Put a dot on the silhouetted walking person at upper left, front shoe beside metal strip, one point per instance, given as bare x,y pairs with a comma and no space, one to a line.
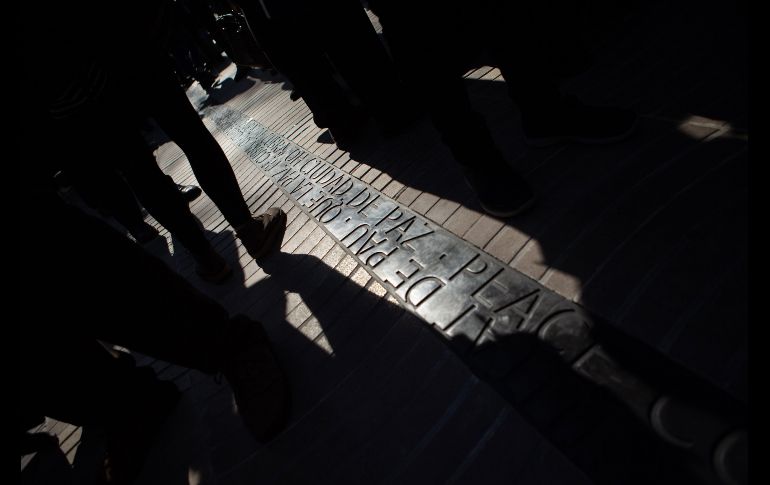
110,76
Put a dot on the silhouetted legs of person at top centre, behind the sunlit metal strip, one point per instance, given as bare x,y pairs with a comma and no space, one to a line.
314,45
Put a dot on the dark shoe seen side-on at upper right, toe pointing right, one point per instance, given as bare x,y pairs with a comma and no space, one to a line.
569,120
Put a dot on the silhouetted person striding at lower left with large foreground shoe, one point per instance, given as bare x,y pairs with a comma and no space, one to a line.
96,284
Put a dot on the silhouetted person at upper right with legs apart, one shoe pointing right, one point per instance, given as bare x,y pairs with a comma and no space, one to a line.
535,46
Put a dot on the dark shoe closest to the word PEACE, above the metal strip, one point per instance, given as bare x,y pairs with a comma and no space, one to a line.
502,195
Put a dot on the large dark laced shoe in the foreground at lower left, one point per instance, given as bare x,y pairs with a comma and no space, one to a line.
259,386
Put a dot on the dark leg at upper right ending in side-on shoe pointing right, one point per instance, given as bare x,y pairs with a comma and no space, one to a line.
536,47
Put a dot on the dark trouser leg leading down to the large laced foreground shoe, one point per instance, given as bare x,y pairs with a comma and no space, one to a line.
111,289
